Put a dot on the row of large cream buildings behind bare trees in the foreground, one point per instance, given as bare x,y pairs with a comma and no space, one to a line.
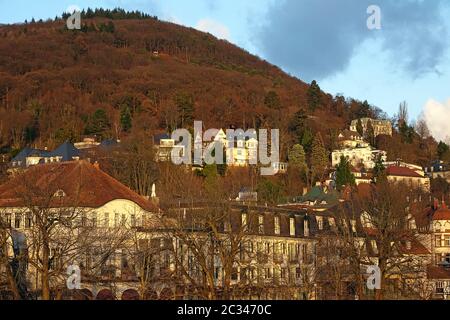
128,243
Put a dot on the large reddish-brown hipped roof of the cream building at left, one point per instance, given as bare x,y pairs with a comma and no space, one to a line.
83,185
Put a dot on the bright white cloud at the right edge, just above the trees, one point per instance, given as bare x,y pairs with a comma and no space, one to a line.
437,116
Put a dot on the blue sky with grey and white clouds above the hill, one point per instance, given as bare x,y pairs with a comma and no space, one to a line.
406,59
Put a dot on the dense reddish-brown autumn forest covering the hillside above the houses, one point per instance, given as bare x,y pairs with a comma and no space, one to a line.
128,73
